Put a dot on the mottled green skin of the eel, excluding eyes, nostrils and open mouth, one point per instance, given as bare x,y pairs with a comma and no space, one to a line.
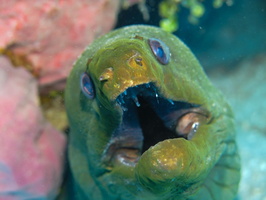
204,168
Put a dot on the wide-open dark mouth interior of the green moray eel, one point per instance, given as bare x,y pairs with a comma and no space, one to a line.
149,118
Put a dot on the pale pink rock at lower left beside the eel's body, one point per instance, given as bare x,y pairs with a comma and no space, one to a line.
31,150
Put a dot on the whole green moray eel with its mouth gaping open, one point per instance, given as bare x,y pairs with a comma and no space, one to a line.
146,123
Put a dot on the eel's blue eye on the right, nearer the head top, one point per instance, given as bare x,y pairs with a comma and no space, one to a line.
160,50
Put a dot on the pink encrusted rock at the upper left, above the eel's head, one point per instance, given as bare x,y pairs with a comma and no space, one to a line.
47,36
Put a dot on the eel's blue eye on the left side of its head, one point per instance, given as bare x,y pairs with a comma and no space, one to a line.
86,86
